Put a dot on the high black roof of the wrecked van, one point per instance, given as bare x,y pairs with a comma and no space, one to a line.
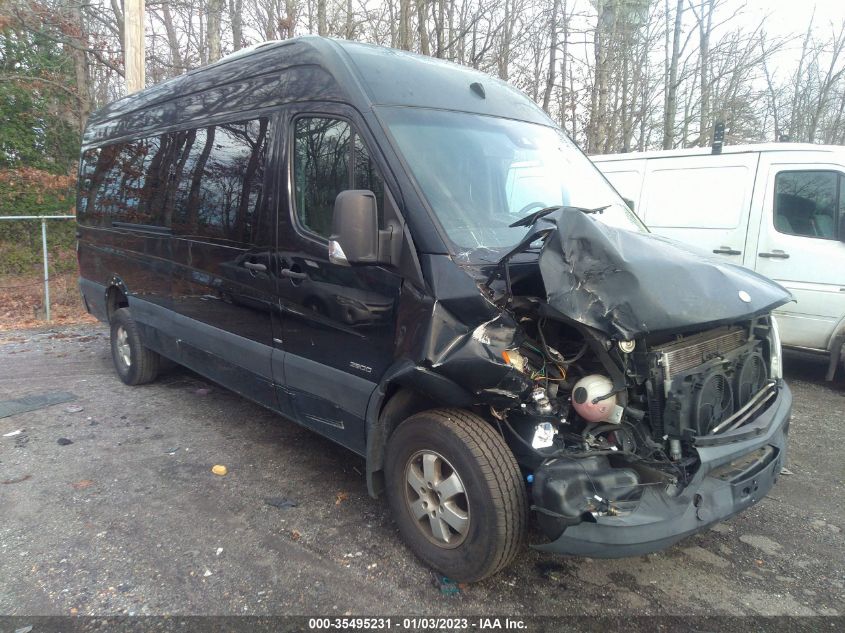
310,68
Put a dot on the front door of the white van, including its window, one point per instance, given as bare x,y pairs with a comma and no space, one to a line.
799,245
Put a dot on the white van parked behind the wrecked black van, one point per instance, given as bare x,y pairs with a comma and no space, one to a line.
778,209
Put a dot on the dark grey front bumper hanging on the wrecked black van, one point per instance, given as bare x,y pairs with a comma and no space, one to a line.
737,470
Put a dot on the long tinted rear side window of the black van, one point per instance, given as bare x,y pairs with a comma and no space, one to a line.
206,181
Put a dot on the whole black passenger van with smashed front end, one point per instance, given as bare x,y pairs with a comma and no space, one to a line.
410,258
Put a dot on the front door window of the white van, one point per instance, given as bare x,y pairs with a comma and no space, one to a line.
807,203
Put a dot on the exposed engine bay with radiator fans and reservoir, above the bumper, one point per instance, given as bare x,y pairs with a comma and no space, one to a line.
607,418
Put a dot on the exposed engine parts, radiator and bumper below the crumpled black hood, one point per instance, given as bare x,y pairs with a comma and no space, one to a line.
696,434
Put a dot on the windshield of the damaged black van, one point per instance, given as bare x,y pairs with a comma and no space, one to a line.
480,174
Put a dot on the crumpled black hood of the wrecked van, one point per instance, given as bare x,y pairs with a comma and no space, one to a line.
627,284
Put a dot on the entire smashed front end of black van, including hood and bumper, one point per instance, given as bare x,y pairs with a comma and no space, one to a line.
637,382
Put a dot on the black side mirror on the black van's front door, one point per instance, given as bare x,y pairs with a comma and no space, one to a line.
356,238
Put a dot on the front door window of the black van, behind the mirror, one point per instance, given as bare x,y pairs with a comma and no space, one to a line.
329,157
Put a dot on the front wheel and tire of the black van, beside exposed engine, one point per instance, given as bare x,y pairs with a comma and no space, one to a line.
494,500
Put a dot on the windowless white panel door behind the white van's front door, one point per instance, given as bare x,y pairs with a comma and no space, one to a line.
701,200
